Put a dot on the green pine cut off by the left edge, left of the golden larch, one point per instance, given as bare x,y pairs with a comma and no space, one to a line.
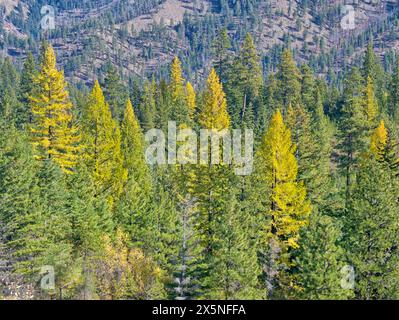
20,203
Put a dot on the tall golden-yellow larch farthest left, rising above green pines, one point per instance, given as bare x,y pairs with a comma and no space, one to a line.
54,135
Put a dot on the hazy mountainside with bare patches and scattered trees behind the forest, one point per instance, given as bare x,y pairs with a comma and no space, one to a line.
142,36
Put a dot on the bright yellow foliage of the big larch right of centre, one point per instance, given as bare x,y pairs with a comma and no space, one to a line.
278,168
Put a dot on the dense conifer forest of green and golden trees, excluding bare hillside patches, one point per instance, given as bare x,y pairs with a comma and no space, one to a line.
84,215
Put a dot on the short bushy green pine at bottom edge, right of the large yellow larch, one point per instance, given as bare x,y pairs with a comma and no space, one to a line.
319,261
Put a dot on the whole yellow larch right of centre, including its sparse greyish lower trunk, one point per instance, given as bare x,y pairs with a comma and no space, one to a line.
285,206
